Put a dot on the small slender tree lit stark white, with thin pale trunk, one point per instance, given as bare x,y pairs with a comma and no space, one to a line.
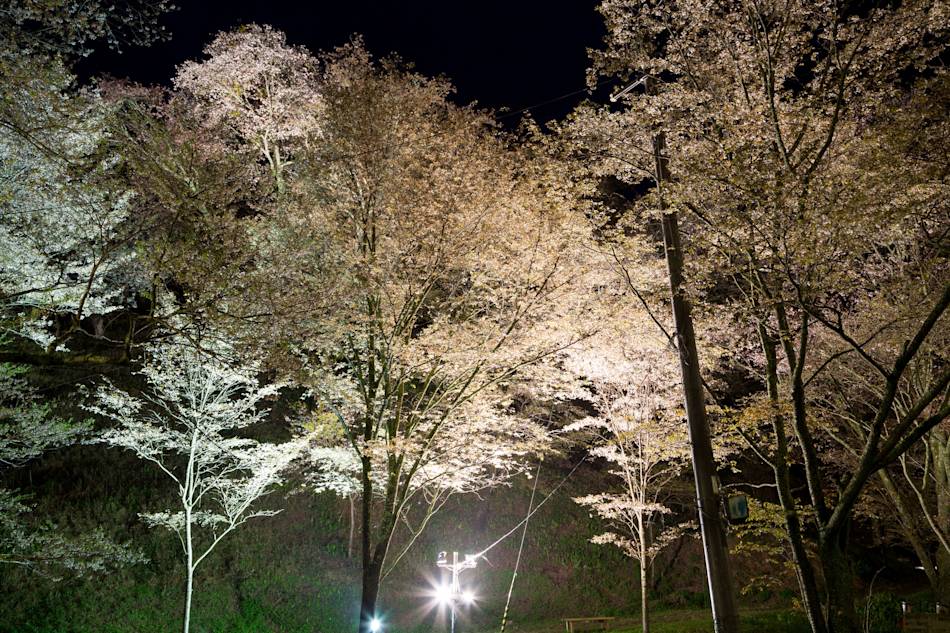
184,424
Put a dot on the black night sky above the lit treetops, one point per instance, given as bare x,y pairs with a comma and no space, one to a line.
513,53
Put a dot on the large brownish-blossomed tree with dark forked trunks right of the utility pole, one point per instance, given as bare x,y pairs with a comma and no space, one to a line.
789,129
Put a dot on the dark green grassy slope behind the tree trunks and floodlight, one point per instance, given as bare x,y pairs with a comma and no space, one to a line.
290,573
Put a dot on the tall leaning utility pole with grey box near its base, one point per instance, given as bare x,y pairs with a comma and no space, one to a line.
722,594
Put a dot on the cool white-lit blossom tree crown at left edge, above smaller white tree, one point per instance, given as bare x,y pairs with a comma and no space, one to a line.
66,238
